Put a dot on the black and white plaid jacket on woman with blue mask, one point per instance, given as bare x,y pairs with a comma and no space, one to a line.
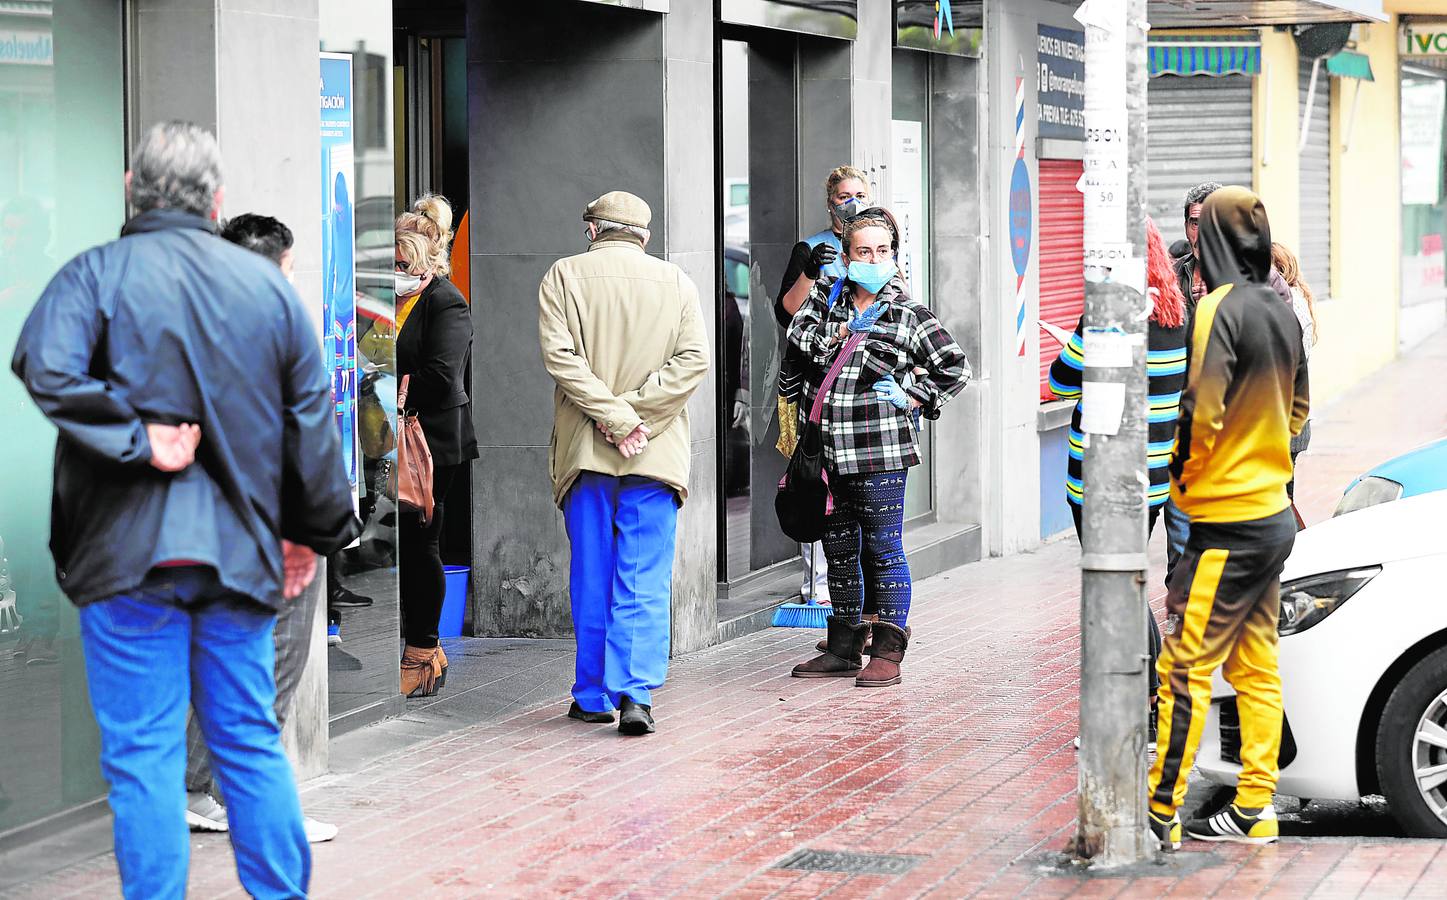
863,433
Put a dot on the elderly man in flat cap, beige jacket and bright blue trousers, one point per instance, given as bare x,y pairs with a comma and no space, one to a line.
624,339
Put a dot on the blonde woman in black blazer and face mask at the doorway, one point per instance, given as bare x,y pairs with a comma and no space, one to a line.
433,348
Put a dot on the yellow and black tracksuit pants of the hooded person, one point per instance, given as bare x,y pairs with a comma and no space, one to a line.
1222,610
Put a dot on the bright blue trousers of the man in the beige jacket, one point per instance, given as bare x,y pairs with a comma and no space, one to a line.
621,584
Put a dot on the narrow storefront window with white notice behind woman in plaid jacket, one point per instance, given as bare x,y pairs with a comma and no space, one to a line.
909,202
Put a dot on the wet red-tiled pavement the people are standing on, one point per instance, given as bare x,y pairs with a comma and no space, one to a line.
969,765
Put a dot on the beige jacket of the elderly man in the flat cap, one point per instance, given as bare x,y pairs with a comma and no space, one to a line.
624,339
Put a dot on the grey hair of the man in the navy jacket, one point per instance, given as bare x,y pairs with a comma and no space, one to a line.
177,166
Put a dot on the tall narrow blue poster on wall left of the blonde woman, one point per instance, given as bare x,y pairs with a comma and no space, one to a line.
339,332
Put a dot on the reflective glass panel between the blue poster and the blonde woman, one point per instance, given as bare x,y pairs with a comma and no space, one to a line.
362,600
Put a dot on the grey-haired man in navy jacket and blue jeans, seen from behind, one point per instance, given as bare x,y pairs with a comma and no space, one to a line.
198,474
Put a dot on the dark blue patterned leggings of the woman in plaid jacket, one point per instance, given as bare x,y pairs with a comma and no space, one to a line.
865,540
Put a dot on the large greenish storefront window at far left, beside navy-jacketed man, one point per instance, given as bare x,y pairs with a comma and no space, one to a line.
61,192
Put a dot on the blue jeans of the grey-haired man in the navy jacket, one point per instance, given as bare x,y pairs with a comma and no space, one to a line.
150,655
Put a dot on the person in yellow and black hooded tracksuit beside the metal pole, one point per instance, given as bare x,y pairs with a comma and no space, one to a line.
1245,399
